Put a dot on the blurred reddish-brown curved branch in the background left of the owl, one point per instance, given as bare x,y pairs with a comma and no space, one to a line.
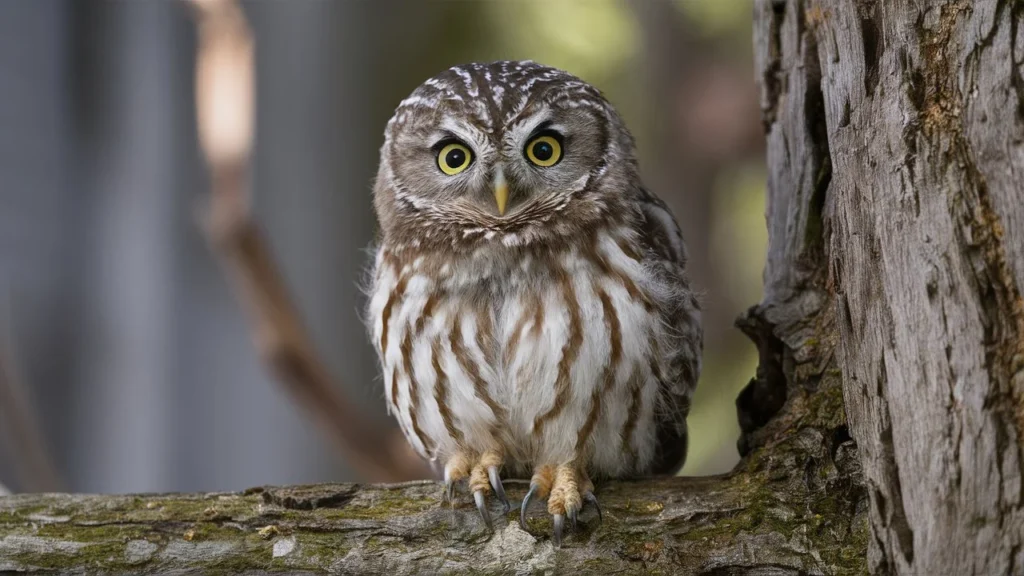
225,88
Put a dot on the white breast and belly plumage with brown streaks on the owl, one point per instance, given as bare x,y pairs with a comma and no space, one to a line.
547,361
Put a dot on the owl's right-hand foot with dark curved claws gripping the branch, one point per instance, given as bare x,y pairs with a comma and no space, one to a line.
568,489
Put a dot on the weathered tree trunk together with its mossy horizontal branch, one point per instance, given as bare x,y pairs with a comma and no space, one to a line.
897,222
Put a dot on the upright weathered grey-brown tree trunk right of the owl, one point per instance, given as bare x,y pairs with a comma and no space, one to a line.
906,124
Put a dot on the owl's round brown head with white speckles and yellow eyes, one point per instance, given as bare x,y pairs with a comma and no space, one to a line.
510,153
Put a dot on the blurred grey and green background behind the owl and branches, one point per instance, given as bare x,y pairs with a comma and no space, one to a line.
125,346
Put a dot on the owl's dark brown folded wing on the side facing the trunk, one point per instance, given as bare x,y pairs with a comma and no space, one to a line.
679,378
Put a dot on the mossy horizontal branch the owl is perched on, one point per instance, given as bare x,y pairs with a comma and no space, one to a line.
795,509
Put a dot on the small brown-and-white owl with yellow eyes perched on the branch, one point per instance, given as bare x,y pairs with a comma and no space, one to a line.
530,301
